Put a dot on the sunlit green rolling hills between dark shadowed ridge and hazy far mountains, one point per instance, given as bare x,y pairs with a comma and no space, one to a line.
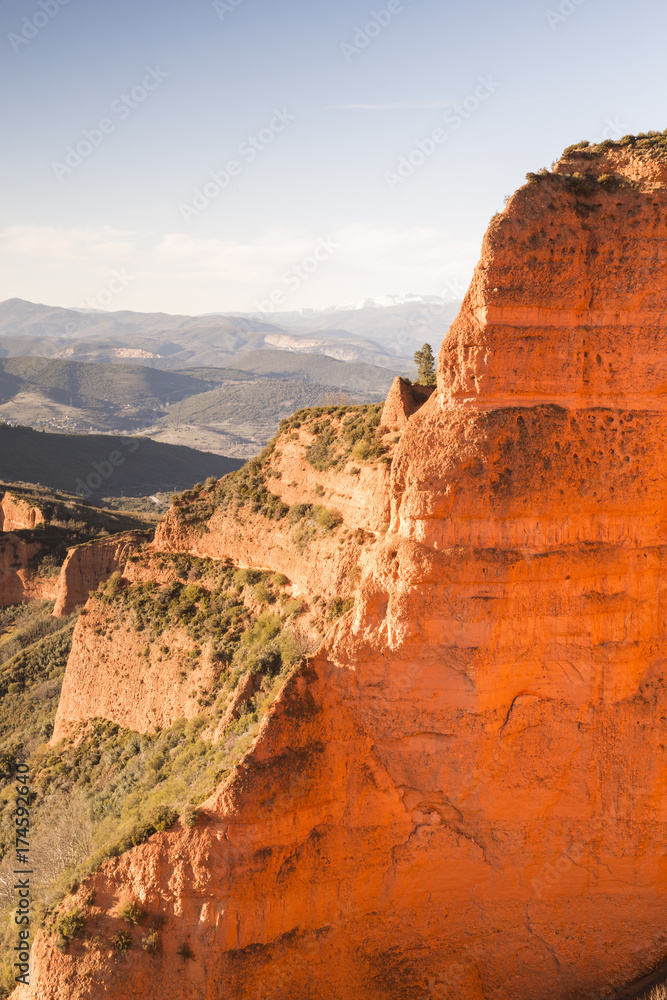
222,410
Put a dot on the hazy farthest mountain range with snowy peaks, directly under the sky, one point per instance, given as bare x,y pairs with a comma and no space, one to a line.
381,335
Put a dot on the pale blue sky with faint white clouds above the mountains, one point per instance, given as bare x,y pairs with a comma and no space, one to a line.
191,156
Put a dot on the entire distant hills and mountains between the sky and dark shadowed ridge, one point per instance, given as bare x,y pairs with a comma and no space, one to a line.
217,383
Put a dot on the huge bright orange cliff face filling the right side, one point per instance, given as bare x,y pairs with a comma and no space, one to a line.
464,794
